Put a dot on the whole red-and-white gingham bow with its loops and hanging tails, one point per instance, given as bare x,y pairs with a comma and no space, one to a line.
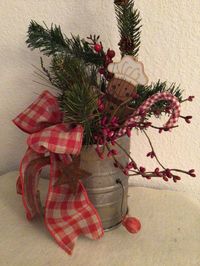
66,215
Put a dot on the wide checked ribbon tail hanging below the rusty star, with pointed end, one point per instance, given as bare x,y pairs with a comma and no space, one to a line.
67,215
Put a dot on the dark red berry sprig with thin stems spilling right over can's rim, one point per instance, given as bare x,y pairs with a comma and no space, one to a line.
109,134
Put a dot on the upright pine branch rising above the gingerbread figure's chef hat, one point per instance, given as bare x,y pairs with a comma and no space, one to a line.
129,27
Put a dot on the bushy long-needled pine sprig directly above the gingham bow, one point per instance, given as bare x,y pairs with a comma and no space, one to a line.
78,92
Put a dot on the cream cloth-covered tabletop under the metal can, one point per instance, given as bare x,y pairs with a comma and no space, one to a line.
170,234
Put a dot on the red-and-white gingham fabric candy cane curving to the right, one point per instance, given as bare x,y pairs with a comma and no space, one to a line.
145,107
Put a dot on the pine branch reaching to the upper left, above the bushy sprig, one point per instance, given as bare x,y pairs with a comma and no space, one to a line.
53,42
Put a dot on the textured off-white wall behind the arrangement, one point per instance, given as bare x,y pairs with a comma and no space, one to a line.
170,51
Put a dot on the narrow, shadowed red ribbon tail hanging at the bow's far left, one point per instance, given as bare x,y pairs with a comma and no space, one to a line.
30,168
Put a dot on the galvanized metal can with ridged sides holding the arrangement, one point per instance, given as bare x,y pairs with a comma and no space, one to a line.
108,197
